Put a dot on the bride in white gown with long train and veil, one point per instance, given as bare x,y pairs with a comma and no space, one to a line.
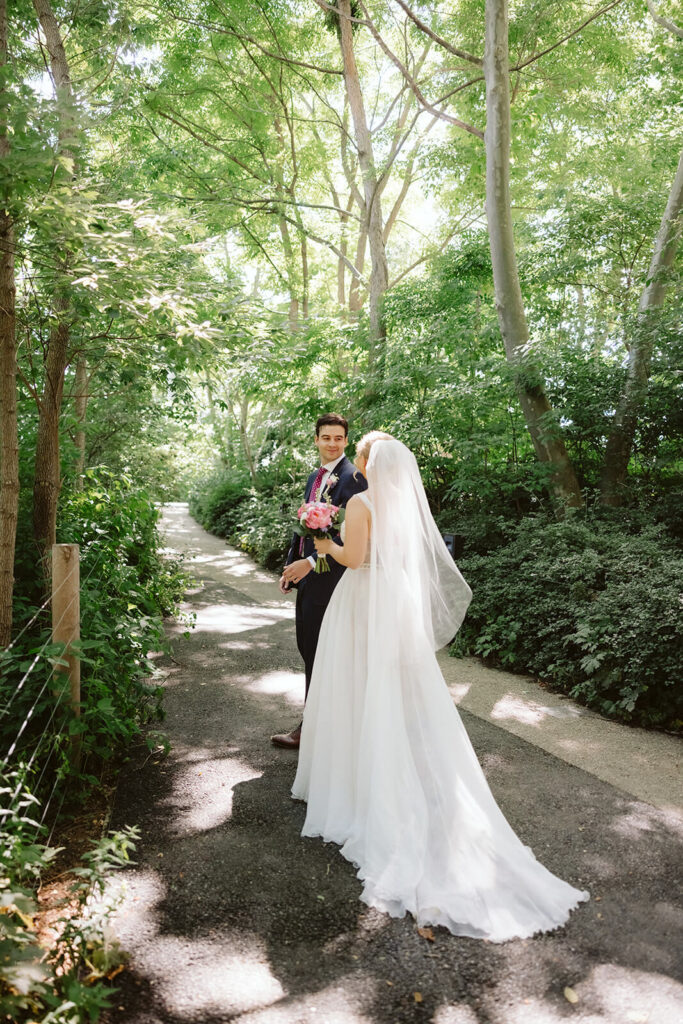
386,764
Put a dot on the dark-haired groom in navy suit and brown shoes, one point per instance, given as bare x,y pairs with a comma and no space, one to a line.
337,480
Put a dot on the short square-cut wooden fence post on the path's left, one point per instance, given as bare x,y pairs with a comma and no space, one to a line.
67,622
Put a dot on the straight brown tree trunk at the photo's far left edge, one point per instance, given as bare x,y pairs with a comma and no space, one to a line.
10,479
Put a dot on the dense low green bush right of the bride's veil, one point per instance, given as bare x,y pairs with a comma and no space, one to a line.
588,606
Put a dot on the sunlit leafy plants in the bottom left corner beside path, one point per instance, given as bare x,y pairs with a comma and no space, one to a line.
67,985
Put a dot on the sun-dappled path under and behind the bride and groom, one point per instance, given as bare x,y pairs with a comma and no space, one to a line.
231,916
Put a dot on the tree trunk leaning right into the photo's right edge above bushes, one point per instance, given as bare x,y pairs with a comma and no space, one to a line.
620,443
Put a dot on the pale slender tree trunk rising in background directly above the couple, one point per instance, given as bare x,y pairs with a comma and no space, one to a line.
379,279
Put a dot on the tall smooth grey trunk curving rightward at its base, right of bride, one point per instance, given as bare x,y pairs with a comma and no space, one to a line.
509,304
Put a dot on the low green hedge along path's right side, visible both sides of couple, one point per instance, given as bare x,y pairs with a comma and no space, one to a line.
591,605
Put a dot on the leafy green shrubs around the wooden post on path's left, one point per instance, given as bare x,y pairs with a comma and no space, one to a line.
126,587
